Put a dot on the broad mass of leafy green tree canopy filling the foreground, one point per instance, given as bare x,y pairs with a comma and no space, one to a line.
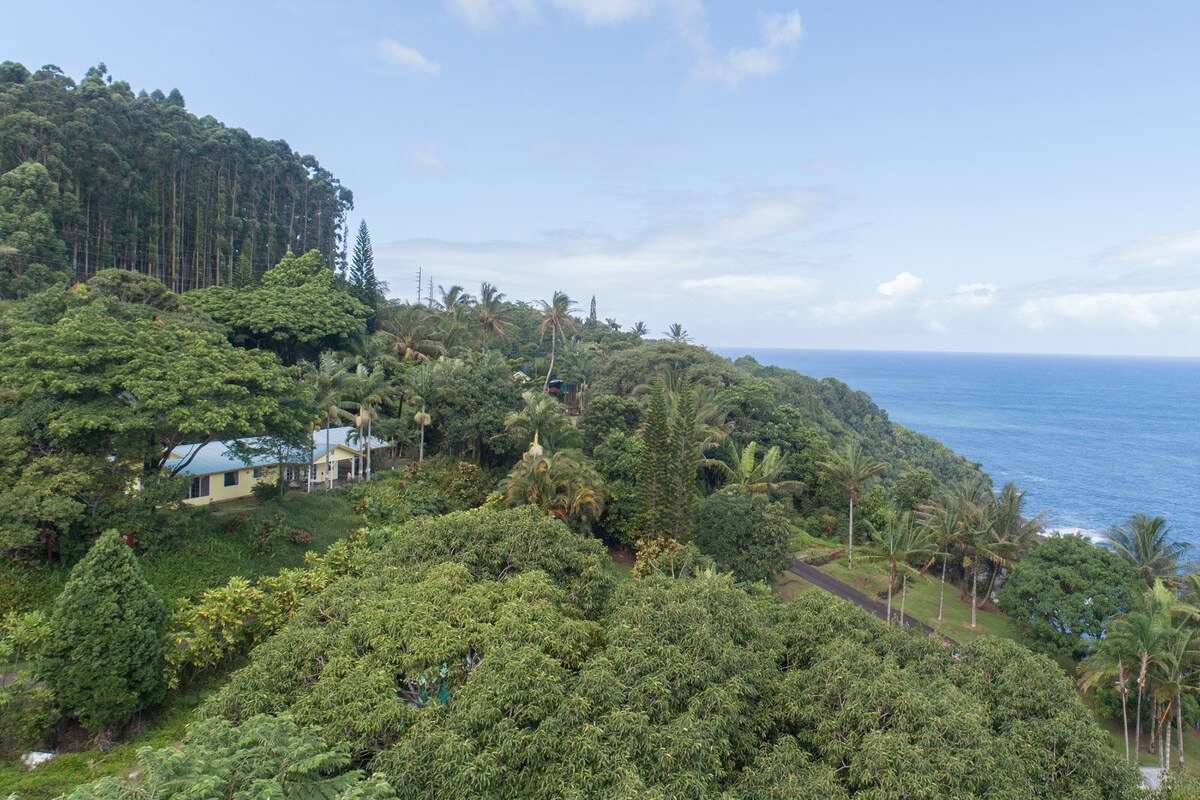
465,661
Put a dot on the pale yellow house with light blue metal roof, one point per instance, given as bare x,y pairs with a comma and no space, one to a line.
227,471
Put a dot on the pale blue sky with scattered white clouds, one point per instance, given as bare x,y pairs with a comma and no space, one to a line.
1013,177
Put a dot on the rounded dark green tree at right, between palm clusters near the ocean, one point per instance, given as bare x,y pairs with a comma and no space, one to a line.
1065,593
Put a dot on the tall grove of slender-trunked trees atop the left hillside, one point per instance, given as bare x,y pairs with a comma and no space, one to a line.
137,183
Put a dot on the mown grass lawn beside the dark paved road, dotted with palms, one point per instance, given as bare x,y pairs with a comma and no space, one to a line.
872,579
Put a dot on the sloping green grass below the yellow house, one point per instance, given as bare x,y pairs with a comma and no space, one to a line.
207,555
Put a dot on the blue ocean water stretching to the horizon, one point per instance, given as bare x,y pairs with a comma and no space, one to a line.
1093,440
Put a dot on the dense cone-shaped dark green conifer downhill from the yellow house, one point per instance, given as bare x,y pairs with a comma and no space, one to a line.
104,660
